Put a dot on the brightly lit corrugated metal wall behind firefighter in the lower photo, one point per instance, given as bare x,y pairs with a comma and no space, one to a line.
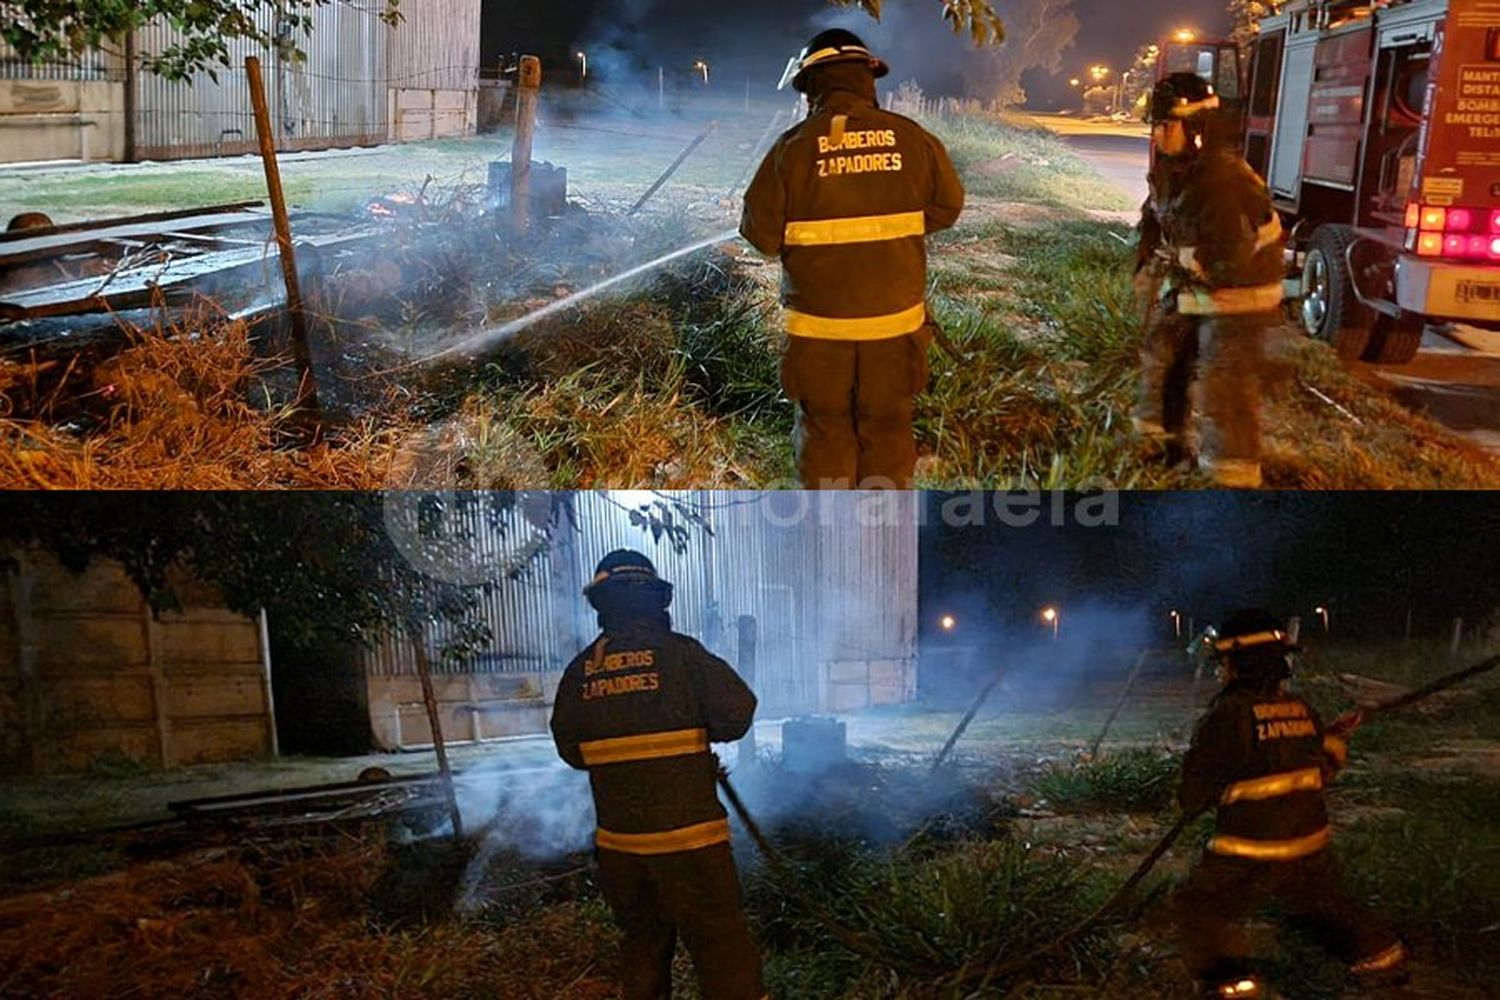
830,581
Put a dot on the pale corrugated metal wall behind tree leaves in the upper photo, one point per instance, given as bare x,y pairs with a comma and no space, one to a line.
334,94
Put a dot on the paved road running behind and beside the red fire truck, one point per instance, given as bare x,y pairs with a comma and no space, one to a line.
1454,379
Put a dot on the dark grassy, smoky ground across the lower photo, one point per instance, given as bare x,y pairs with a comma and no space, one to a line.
1016,842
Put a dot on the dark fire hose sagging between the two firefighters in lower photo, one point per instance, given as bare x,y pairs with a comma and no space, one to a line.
860,945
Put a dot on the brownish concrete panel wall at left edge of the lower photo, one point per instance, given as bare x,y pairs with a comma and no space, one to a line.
95,675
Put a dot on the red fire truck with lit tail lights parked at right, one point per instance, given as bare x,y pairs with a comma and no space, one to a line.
1378,130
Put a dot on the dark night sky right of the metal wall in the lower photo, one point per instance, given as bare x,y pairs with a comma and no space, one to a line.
1369,557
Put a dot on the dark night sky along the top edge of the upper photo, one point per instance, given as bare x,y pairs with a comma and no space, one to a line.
755,38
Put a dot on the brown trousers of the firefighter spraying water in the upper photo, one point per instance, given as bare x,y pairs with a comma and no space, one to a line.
854,410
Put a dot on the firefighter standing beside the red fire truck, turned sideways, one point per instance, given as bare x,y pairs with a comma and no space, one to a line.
1210,277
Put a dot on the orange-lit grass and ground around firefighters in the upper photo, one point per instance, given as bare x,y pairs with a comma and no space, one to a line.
674,383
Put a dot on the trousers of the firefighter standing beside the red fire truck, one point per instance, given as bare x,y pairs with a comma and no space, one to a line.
1211,365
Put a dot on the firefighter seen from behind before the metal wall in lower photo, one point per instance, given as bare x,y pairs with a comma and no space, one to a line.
638,711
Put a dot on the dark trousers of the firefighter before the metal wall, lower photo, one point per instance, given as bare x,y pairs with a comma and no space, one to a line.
694,896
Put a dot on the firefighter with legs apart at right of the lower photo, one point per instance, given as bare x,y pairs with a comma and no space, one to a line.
1262,758
